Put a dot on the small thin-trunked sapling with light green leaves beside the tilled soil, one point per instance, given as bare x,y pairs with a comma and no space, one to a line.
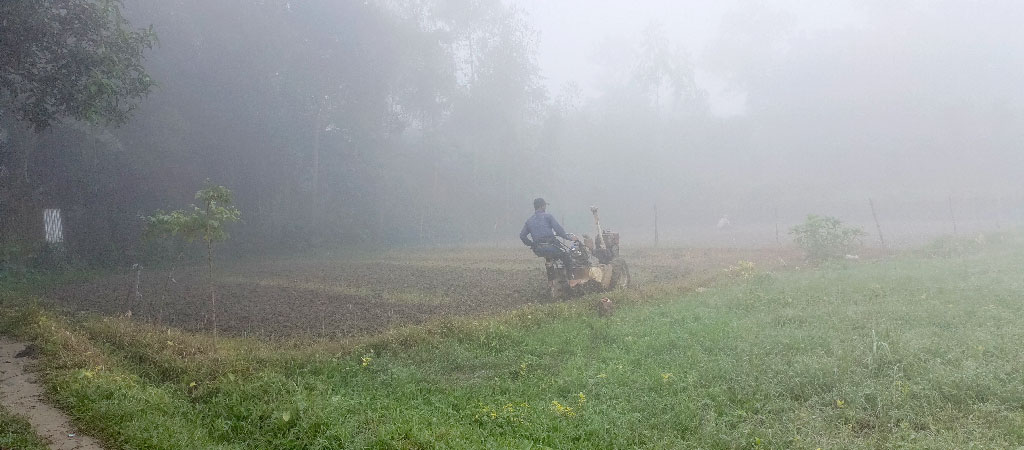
207,224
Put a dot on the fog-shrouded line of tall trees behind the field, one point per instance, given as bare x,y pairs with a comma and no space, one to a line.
414,122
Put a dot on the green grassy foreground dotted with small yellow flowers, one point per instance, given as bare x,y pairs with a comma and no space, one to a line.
919,352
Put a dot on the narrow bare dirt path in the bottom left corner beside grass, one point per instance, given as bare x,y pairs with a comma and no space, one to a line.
22,395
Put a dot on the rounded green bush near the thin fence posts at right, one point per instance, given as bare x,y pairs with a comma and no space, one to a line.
826,238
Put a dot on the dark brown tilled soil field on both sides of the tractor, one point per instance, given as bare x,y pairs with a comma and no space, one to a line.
347,296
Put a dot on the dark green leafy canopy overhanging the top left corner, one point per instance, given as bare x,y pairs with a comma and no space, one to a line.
74,59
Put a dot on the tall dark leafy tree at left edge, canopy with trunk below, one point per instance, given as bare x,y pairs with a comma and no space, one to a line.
75,61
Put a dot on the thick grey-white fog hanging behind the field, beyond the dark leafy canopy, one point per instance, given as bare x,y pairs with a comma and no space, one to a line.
437,122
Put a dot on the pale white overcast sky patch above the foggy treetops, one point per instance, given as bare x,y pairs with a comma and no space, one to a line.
573,30
